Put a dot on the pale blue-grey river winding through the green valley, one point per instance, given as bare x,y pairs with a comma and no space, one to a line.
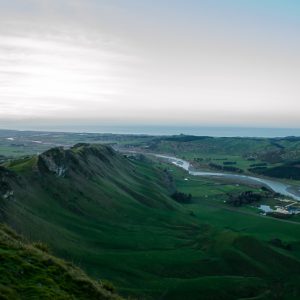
276,186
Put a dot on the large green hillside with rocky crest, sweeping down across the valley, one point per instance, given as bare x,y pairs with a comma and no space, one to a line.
113,216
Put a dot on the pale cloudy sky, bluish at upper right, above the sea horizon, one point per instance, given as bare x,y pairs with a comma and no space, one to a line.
159,62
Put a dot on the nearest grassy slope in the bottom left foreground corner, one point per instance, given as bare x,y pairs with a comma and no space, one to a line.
29,272
